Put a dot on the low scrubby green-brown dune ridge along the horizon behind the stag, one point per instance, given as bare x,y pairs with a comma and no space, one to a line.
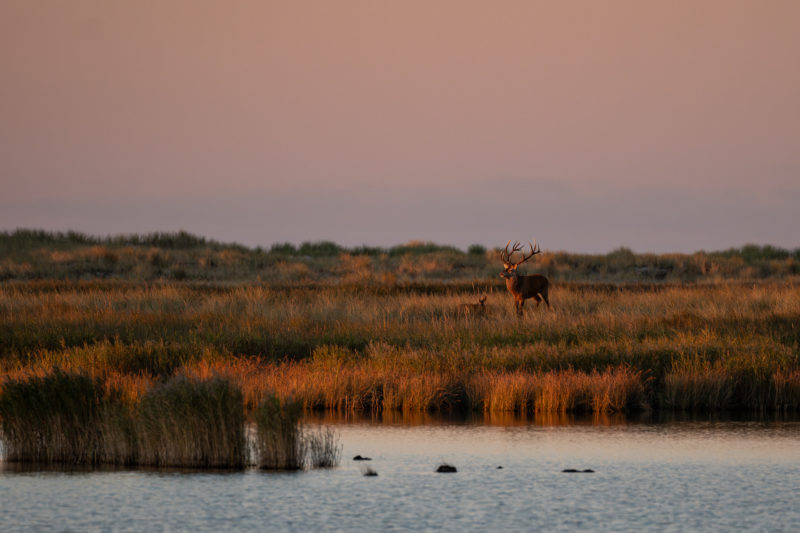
30,254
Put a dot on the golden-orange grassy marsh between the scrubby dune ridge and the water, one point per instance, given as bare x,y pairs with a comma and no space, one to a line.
606,347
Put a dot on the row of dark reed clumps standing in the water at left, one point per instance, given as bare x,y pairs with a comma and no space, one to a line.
75,419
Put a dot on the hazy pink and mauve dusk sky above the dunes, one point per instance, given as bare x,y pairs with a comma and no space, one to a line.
658,125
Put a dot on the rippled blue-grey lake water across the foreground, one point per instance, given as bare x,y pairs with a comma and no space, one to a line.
649,476
